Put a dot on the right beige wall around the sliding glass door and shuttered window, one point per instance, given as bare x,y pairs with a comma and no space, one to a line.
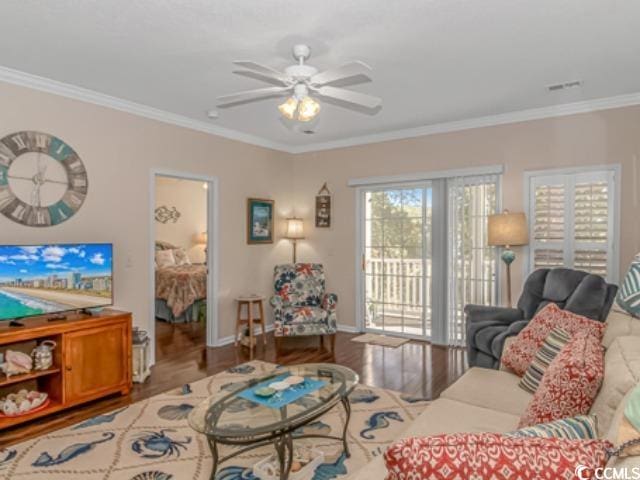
605,137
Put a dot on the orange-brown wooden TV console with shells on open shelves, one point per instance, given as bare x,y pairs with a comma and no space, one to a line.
92,359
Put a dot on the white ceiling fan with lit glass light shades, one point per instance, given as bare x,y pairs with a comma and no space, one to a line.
302,82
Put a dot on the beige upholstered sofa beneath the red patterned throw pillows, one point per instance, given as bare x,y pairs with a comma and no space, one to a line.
484,400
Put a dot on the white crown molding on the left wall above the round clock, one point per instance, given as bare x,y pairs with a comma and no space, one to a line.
43,84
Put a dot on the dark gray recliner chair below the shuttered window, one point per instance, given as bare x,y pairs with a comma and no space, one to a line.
579,292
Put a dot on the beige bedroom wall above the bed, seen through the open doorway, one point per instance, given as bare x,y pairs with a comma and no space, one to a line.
190,199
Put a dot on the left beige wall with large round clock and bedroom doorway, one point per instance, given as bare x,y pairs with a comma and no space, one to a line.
119,150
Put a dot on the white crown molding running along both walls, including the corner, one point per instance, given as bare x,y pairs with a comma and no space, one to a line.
55,87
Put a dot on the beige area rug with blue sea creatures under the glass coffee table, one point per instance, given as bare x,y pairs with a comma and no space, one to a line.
151,439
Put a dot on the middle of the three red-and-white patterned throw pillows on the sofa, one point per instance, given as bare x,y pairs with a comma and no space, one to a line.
570,384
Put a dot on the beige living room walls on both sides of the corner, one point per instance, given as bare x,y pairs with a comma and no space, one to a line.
119,150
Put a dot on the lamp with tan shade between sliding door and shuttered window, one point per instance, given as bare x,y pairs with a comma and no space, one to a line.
508,230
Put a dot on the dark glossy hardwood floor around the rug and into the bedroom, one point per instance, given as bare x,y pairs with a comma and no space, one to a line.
416,368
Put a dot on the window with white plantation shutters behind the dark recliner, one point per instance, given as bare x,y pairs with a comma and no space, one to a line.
572,220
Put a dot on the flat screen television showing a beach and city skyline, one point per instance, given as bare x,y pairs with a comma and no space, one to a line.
54,278
